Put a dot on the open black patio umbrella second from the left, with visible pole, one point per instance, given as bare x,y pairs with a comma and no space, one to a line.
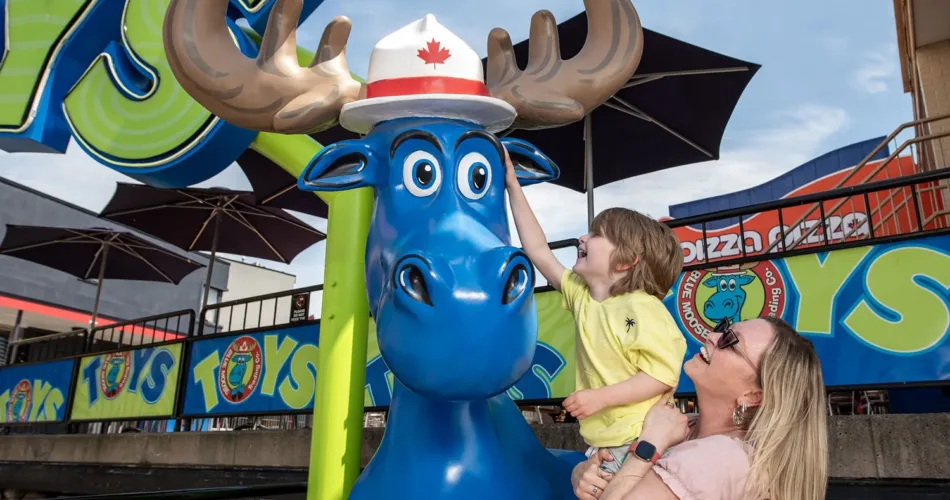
212,219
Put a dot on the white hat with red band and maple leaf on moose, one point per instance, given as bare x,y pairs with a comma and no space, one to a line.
425,70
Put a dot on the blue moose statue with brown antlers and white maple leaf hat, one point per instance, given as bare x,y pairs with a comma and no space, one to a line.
452,298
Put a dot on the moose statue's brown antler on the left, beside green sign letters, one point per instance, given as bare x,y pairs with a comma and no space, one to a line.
272,93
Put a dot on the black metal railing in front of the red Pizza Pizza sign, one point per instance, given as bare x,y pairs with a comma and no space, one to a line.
833,229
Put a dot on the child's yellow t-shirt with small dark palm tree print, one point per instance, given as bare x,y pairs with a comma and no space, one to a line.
615,339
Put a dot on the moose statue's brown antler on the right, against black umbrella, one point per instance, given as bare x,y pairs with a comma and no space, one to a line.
552,92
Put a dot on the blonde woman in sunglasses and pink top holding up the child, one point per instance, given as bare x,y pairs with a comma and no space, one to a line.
761,432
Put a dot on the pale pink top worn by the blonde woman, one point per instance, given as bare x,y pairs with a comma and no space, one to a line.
711,468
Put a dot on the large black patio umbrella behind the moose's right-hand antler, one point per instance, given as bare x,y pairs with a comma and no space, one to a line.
673,112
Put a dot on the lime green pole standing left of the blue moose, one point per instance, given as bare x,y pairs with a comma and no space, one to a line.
336,440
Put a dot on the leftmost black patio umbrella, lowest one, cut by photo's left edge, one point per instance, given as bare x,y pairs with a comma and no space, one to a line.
85,253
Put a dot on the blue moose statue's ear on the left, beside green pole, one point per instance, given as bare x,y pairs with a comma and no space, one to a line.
340,166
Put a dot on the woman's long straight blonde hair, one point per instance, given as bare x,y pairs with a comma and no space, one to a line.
789,431
